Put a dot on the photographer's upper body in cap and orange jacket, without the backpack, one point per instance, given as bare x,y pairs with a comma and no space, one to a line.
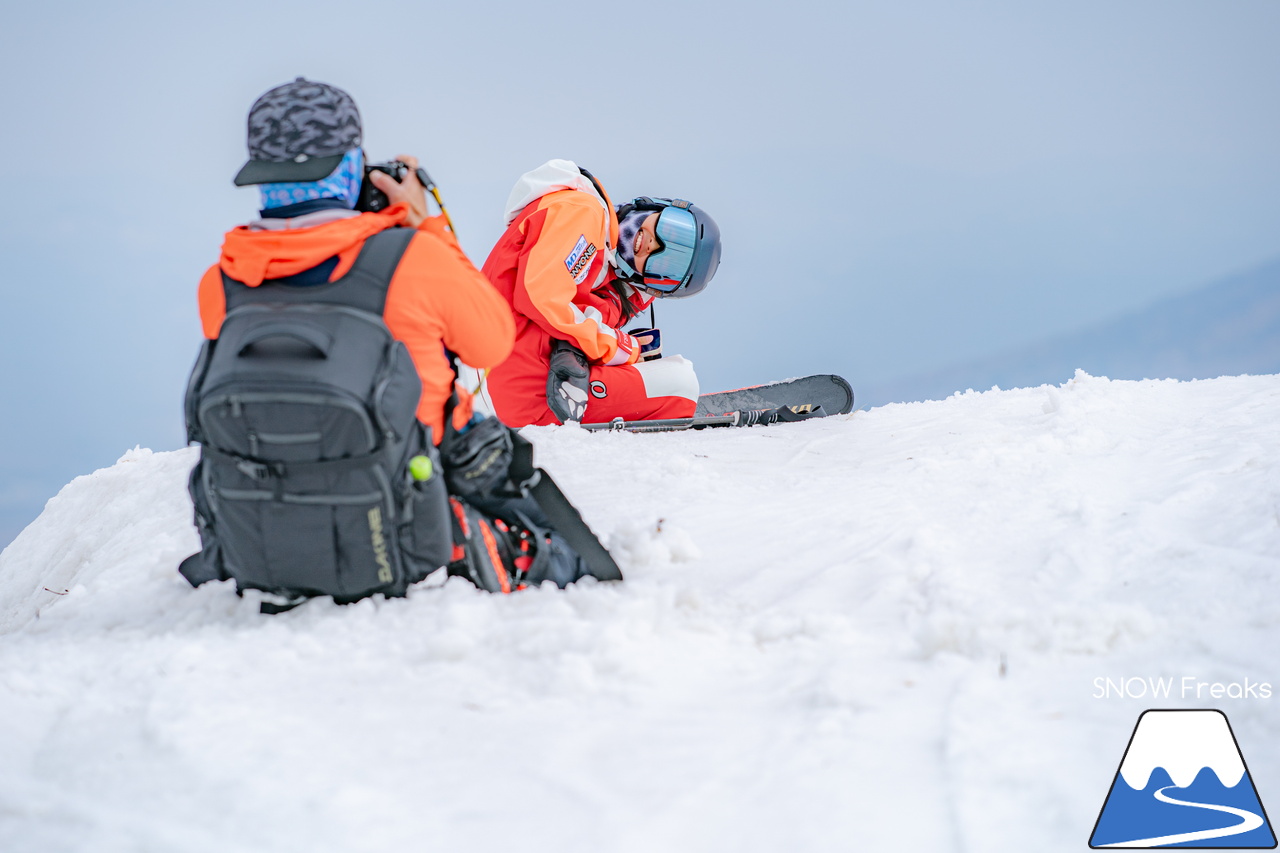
305,157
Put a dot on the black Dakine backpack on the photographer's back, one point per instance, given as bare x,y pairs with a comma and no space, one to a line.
305,409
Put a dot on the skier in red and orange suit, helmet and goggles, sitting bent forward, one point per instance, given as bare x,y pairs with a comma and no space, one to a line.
575,271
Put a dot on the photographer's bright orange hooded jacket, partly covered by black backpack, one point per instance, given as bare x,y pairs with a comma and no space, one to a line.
437,298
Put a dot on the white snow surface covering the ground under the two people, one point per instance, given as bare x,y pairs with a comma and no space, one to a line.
875,632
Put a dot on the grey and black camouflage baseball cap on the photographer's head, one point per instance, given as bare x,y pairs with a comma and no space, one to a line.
299,133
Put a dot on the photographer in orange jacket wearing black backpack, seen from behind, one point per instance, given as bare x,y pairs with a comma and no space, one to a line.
326,385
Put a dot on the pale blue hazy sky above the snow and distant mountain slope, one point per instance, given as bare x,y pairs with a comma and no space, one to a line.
900,186
